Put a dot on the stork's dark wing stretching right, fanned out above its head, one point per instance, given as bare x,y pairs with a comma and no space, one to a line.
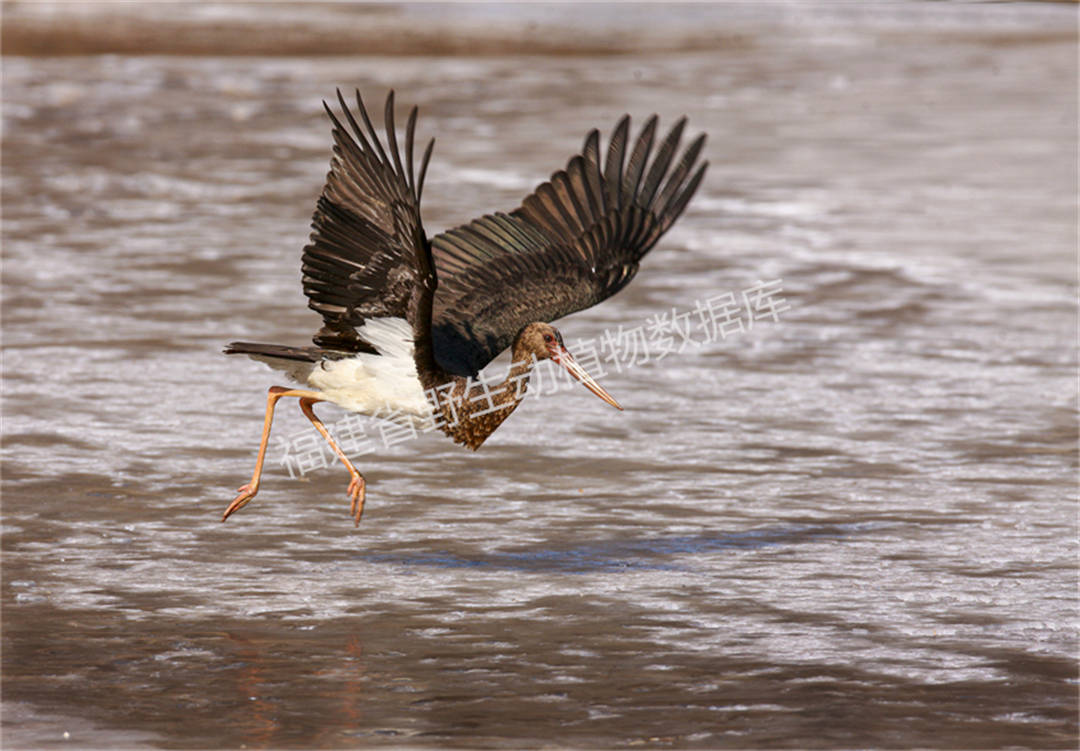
577,240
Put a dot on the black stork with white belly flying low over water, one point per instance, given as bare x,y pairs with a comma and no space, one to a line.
407,318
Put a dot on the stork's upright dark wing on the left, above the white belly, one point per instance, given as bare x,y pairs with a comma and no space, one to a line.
369,256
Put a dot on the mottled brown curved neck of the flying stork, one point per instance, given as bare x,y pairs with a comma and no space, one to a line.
472,409
